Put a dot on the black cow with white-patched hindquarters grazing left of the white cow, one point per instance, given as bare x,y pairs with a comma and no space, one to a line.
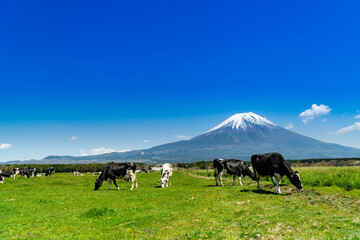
117,170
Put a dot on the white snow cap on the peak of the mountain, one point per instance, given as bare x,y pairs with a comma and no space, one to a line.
244,121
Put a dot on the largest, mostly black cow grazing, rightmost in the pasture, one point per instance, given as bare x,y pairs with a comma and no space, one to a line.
274,165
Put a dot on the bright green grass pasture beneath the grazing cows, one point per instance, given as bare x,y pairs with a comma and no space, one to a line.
64,206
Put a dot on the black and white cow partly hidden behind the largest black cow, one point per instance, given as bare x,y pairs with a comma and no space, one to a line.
231,167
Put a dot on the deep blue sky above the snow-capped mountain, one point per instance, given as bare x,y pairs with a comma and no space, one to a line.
126,75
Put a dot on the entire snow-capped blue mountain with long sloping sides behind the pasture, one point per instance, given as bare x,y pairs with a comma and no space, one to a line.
239,136
